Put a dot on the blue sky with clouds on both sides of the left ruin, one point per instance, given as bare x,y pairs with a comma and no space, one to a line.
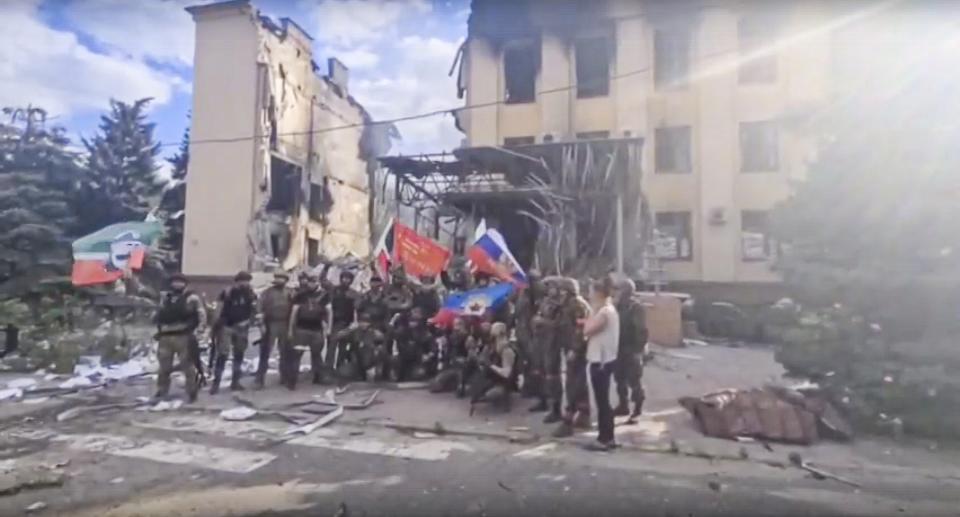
72,56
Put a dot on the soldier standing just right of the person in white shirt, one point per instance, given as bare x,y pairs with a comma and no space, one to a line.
628,372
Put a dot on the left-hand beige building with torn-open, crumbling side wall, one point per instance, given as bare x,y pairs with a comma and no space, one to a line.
280,154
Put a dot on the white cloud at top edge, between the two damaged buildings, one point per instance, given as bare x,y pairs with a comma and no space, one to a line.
347,22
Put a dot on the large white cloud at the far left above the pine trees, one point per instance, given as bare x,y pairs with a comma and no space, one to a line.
52,69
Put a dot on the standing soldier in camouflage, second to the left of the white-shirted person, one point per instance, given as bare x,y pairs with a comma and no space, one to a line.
548,354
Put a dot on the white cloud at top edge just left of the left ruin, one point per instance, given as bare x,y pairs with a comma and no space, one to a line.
159,30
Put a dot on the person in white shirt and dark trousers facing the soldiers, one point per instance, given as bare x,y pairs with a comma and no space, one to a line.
602,330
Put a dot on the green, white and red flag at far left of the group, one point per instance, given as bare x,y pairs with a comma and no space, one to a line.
102,256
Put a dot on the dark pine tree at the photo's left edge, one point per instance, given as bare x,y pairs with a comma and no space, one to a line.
37,174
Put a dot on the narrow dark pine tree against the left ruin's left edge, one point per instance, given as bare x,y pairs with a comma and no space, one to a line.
172,205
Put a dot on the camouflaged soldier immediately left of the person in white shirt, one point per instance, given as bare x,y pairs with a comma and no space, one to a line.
570,331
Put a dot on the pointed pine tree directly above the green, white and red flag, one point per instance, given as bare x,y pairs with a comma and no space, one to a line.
121,183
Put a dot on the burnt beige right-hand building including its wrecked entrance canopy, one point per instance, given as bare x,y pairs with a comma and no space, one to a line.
716,93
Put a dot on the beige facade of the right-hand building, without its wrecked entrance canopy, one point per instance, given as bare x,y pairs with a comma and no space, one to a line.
721,96
